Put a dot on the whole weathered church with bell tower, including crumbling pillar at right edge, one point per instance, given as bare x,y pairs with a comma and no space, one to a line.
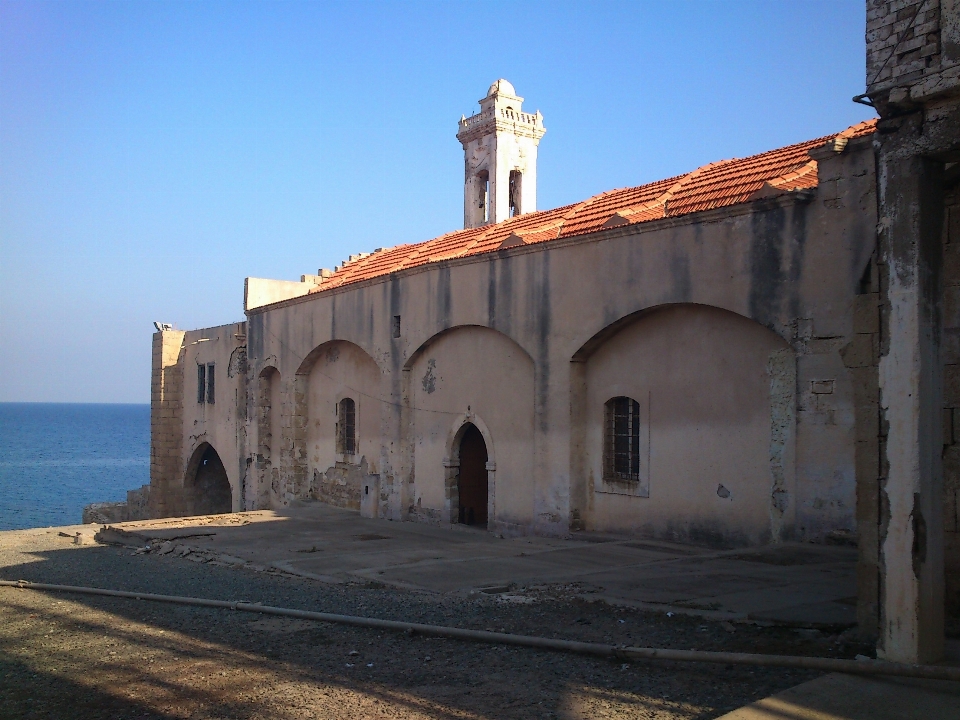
764,349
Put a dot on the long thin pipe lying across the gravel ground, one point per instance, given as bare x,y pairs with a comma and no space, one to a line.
854,667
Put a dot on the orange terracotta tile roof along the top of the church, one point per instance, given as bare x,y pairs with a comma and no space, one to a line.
716,185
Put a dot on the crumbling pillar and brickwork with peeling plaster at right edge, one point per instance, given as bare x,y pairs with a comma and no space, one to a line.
913,80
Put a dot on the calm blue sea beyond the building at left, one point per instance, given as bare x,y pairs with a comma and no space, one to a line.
55,458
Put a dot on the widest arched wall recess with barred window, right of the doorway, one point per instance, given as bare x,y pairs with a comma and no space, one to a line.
684,426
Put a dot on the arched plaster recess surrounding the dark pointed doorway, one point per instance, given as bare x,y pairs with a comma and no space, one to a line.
470,375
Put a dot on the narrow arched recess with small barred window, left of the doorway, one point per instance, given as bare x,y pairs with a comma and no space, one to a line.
336,422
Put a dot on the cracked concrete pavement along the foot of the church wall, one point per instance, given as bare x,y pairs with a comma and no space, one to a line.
796,584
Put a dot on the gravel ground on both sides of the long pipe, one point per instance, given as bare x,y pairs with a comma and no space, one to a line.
72,656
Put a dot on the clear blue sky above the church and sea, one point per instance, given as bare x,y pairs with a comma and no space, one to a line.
153,154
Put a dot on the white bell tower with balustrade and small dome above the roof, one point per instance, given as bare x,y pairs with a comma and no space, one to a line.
499,158
